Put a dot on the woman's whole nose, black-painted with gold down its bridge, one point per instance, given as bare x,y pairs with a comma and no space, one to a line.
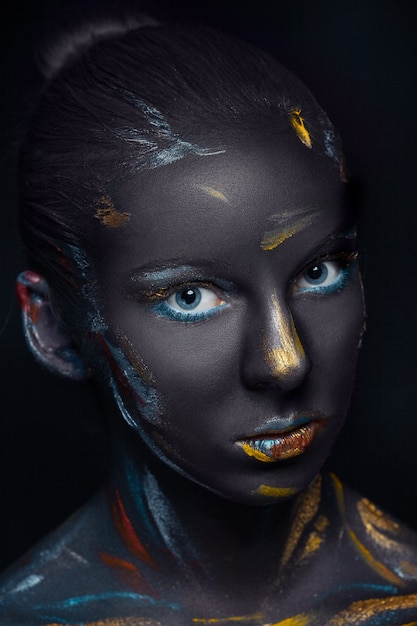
274,354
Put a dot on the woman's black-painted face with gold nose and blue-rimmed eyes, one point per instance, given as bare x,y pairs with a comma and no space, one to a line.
234,313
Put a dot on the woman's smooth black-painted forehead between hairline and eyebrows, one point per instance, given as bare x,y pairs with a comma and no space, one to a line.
257,185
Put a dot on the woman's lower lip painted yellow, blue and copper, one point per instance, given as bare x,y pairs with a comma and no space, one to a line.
273,447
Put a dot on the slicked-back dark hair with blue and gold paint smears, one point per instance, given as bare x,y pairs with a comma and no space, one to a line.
124,99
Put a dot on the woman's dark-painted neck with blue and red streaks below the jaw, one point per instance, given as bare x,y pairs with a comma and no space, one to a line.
169,522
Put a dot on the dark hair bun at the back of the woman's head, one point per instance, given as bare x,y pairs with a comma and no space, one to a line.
69,42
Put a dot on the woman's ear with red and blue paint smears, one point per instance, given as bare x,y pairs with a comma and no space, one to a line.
50,345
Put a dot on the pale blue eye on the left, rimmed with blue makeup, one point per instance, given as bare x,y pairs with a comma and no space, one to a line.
190,304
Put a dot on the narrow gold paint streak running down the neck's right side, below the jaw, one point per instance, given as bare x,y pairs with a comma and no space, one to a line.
307,507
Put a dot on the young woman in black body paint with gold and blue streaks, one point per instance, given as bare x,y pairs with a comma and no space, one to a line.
192,246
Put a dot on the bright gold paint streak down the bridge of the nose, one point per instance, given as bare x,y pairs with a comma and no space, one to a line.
288,356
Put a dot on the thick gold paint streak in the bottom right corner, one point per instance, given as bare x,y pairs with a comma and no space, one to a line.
363,610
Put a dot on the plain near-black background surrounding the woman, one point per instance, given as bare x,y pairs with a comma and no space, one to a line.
359,59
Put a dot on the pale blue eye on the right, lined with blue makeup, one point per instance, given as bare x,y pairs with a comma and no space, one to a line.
324,277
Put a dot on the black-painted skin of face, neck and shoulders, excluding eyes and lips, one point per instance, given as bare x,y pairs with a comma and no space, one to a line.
179,535
